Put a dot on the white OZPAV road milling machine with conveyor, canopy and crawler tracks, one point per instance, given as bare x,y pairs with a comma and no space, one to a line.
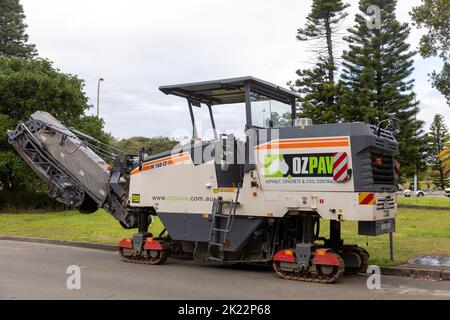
258,199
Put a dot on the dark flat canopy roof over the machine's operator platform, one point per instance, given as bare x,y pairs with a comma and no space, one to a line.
227,91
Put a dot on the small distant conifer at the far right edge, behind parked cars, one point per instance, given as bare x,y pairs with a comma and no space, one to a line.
438,134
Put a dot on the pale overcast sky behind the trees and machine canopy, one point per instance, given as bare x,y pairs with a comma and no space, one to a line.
138,45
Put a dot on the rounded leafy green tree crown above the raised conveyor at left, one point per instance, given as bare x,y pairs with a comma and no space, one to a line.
30,85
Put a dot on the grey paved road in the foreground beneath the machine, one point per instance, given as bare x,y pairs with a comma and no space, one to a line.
38,271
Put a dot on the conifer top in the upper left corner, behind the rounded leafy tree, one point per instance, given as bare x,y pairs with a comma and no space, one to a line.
13,39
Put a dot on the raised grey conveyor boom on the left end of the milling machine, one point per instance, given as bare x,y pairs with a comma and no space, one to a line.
75,175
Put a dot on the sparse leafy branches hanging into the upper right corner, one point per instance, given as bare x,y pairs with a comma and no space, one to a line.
435,16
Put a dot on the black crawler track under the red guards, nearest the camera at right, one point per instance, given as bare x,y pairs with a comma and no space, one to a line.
323,273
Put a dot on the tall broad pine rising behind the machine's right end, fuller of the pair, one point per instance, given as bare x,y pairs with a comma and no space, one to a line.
376,78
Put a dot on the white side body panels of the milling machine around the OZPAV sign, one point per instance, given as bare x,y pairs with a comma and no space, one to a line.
175,185
